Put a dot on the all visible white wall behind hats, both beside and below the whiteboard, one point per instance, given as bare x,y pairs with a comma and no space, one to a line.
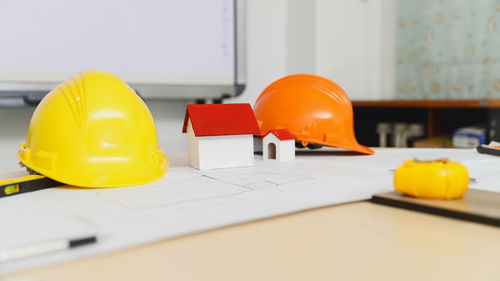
348,41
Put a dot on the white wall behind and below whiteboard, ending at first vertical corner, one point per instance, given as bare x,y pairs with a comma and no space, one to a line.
266,37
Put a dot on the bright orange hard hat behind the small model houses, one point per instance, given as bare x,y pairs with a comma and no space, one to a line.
313,108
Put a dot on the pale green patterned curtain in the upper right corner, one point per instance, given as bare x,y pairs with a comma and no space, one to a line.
448,49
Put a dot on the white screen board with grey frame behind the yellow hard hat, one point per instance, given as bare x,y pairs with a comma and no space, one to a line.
189,49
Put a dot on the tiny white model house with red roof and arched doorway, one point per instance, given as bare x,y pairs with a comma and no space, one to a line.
278,145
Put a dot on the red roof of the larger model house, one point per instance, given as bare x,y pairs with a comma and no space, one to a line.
221,119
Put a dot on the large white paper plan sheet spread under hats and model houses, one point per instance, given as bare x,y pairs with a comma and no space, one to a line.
187,200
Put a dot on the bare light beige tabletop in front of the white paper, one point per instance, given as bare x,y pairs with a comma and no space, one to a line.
354,241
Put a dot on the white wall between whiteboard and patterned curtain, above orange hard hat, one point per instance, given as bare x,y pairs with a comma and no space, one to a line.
351,42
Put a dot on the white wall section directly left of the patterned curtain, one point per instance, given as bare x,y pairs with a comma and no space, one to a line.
355,46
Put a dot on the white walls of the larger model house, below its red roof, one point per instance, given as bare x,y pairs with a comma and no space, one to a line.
216,152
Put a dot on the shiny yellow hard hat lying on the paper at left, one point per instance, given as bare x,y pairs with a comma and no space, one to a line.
94,131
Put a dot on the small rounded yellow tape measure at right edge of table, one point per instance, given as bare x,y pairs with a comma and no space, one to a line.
439,179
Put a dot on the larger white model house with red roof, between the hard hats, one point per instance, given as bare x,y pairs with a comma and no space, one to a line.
220,135
